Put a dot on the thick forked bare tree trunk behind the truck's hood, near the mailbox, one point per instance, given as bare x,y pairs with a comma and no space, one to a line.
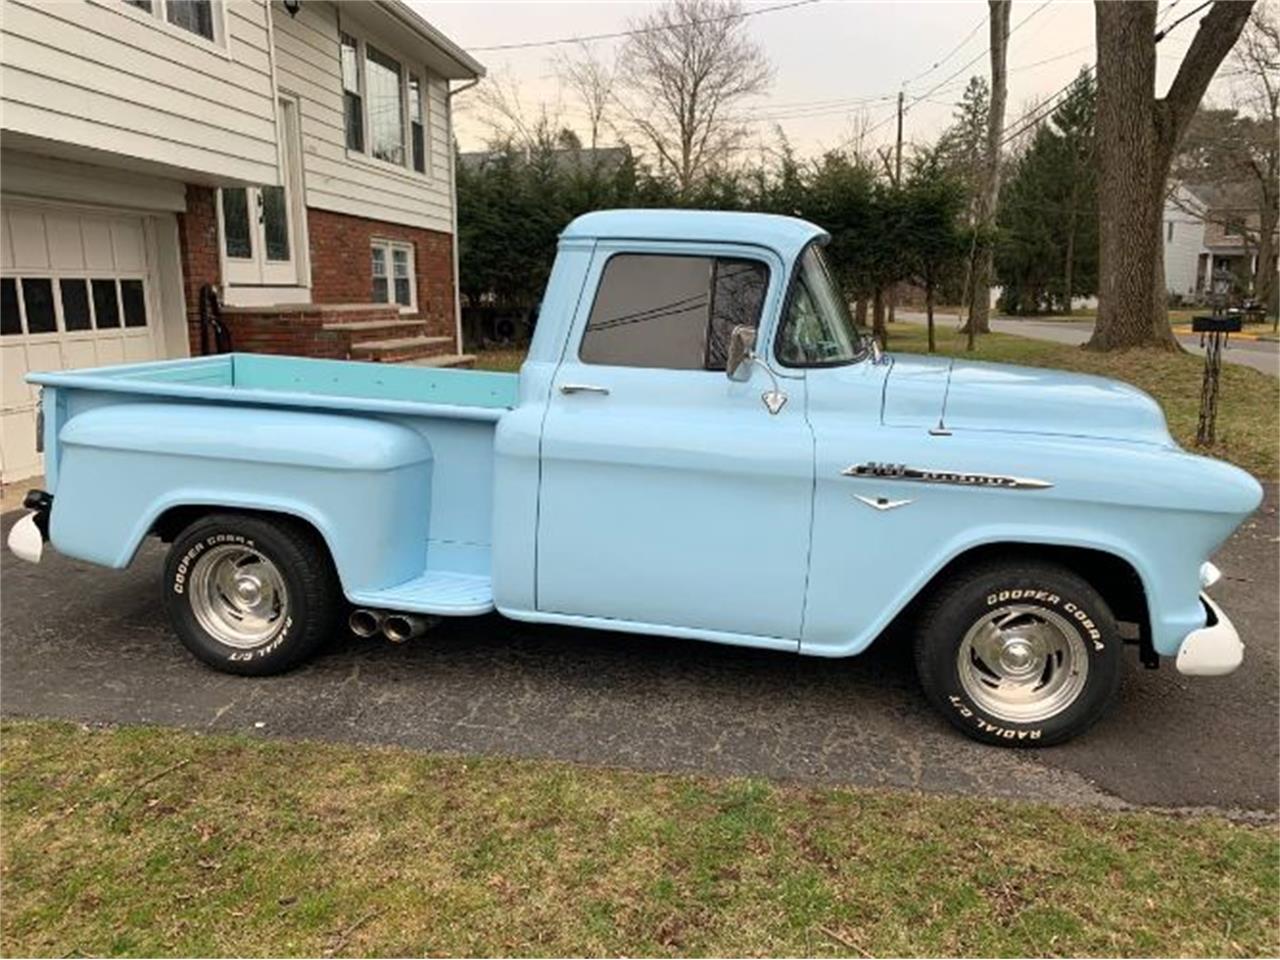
1137,136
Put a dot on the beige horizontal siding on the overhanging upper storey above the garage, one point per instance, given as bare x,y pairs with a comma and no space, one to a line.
106,77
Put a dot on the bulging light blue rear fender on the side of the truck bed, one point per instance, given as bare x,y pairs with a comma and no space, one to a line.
363,483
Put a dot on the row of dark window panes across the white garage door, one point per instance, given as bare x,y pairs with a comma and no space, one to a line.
40,305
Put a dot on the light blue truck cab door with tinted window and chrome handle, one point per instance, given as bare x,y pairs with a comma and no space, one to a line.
670,495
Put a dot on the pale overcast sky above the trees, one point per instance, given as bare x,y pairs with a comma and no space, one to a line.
825,54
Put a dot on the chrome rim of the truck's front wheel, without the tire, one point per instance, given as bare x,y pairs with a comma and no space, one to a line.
1023,664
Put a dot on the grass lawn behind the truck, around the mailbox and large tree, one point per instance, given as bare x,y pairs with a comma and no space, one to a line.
1249,420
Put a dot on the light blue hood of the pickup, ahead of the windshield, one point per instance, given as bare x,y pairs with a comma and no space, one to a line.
961,395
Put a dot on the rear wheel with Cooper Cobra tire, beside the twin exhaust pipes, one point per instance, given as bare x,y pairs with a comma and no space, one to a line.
249,595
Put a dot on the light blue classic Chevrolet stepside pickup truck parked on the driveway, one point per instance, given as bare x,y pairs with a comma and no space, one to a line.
701,444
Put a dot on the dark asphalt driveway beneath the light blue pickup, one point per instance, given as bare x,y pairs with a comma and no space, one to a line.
88,644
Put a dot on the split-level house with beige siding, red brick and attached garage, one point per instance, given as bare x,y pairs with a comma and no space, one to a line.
295,157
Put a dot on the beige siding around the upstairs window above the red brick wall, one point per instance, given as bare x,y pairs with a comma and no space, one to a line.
307,52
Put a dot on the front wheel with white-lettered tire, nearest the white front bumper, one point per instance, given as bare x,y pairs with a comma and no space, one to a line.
1020,655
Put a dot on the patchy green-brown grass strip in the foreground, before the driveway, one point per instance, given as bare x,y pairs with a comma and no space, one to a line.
147,842
